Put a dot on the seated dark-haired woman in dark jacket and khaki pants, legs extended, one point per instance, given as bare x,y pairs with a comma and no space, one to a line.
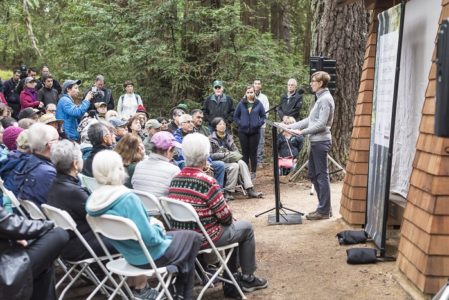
222,147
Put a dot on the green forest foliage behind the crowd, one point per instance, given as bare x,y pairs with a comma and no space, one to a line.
172,49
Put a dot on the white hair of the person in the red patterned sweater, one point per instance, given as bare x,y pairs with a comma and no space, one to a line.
195,149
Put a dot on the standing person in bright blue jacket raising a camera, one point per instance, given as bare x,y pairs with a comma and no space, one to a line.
68,111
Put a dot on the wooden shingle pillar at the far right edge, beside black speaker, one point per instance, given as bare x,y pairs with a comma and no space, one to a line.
424,245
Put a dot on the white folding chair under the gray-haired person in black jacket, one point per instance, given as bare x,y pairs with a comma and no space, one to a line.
64,220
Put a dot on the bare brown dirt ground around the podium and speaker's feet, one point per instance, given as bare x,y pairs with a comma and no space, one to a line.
303,261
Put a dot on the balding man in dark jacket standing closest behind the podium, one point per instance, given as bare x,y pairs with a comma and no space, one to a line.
291,102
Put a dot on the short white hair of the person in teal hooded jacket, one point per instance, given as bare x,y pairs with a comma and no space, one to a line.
108,169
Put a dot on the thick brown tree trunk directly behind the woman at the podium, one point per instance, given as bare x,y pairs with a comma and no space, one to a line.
340,33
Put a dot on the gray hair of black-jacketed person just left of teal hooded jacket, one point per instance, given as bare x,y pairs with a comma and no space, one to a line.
63,154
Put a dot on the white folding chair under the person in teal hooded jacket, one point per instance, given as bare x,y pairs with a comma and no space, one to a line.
120,228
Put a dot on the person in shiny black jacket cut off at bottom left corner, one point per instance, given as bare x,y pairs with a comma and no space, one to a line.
28,249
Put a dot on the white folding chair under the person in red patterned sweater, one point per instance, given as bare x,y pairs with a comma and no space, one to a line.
183,212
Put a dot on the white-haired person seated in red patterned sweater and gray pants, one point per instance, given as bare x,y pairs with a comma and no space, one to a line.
195,187
